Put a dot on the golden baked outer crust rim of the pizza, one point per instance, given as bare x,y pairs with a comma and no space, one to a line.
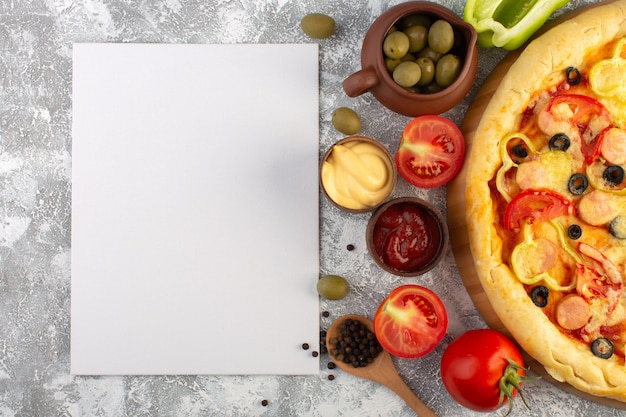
543,59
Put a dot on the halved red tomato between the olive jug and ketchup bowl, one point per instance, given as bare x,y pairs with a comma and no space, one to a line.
430,152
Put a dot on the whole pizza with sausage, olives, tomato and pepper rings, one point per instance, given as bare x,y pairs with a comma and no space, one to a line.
546,200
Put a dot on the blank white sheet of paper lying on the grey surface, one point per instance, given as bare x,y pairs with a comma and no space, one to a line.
194,209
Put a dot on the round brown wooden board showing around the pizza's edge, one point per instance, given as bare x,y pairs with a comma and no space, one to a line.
457,224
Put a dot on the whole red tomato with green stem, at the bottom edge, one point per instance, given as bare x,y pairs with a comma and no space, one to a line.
483,370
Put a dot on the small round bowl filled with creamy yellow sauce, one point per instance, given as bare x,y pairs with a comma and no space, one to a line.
376,157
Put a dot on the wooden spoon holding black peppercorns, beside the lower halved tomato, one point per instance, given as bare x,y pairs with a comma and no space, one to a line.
381,370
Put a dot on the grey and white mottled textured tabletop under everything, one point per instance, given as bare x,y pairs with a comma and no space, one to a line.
36,40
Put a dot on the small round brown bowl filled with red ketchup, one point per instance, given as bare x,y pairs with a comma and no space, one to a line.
432,238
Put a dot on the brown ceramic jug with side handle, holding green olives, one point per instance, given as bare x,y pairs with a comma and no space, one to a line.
375,78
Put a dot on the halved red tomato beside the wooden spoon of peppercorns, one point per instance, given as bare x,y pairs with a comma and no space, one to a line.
411,321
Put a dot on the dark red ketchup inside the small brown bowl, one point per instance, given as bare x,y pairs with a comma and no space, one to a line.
406,237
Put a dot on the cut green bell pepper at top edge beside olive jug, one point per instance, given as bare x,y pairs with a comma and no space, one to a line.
508,23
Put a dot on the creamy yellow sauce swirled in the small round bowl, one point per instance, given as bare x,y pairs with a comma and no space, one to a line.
357,175
